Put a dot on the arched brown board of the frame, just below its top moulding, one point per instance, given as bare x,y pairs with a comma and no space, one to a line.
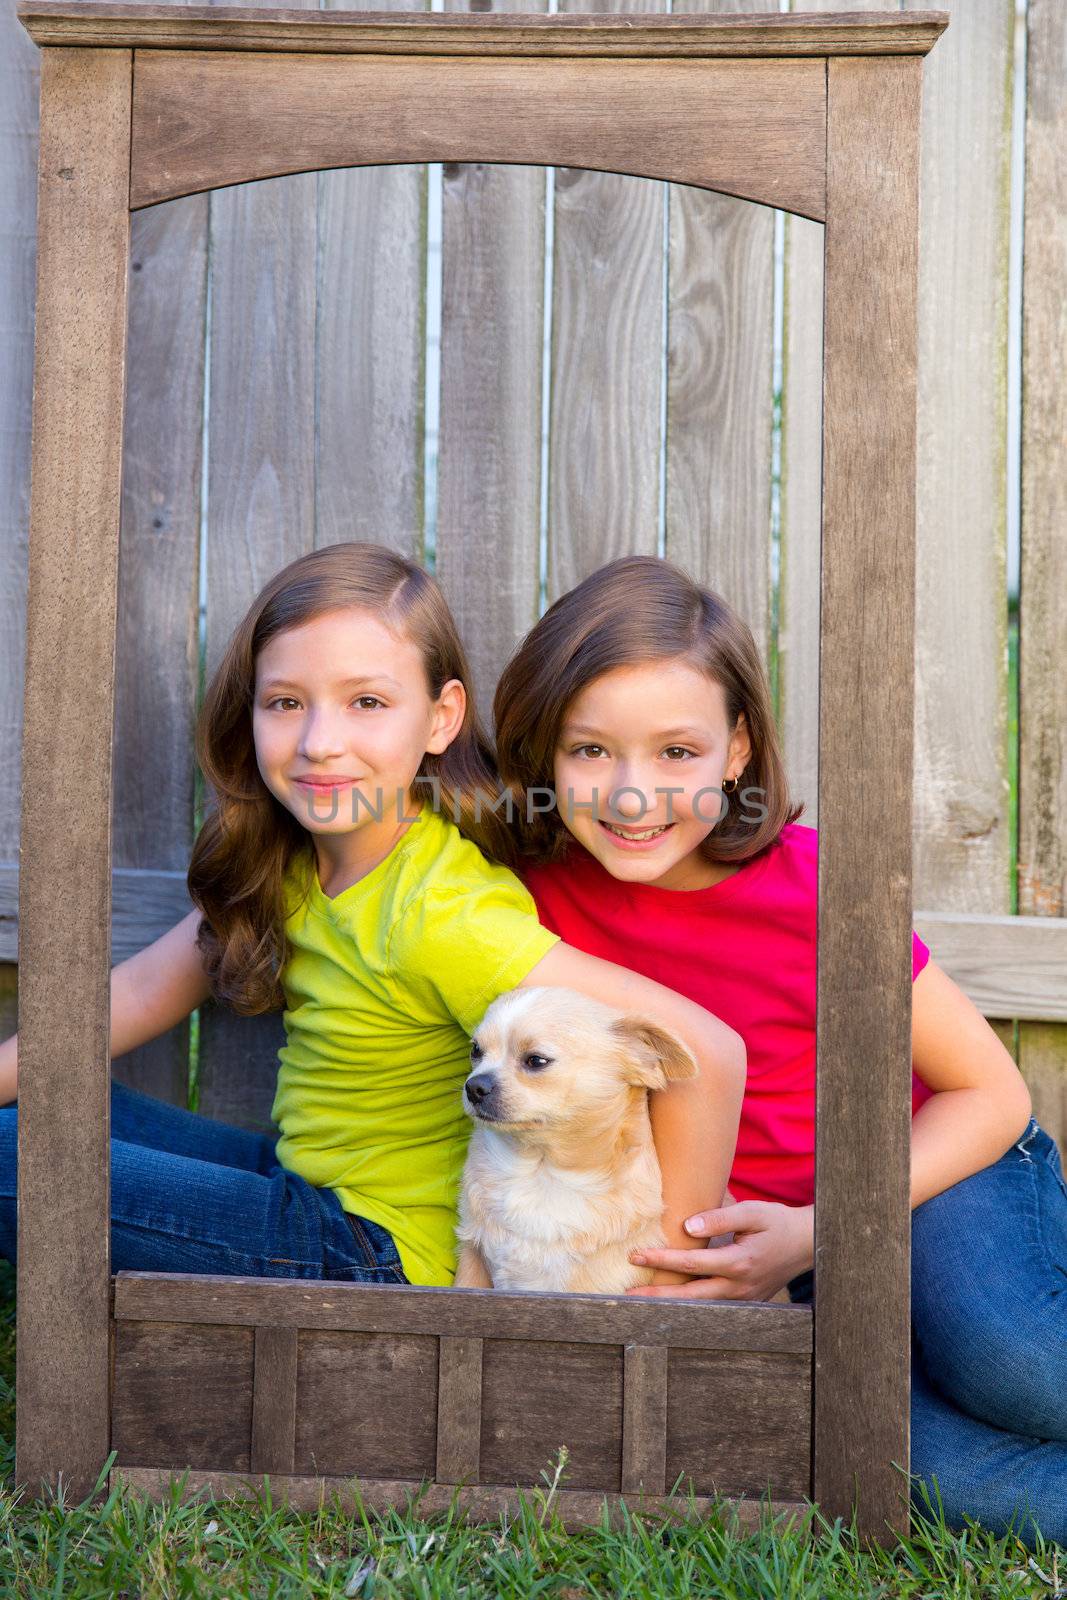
207,119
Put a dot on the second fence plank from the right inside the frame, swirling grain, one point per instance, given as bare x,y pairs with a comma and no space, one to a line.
721,398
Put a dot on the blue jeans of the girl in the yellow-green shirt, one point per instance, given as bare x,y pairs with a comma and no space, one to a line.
190,1194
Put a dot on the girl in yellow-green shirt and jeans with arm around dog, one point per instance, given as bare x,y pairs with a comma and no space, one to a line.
356,874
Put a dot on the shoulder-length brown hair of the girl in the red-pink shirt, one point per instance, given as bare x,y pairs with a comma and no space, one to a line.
631,612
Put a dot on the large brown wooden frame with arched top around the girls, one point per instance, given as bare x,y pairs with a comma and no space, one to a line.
817,114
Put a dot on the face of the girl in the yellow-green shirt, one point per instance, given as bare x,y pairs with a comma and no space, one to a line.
342,722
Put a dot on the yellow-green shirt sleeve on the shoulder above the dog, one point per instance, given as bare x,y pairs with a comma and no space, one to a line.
471,945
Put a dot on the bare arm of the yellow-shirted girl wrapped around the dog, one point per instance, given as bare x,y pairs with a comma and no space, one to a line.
695,1121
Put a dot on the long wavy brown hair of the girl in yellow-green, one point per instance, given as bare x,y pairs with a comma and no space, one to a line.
249,839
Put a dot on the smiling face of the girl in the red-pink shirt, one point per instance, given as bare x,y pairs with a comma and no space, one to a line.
639,769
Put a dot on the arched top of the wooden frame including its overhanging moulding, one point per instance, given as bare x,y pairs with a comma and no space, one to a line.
737,103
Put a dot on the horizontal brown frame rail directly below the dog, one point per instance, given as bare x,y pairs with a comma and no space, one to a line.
580,1319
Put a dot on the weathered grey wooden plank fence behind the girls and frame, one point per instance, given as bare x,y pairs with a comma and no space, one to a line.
279,401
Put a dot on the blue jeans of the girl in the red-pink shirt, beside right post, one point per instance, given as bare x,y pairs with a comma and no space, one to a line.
989,1343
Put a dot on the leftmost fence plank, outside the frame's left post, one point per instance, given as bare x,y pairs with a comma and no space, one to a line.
18,254
